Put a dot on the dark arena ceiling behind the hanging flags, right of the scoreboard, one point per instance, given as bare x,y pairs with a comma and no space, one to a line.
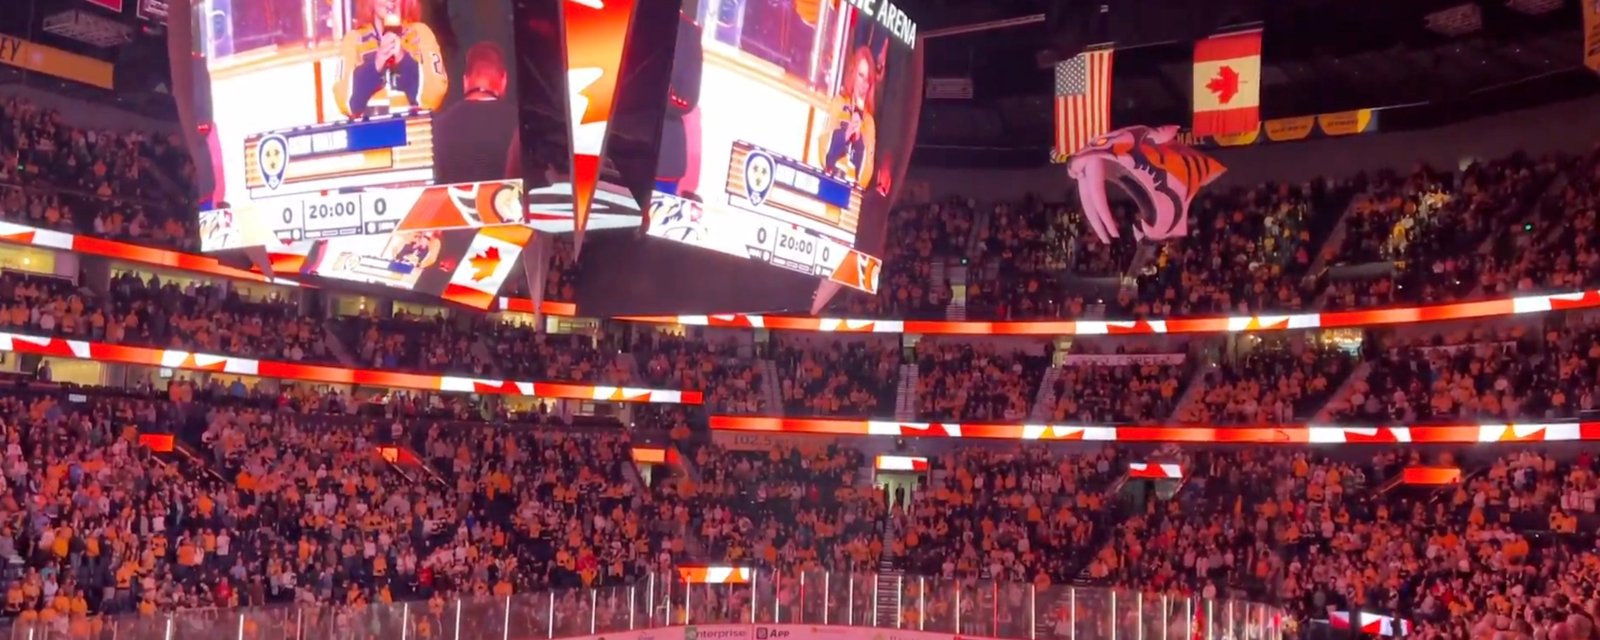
1319,57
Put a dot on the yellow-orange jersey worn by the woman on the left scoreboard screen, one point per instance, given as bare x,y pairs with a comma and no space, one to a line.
418,79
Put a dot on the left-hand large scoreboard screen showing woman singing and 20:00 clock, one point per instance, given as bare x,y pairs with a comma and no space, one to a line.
356,118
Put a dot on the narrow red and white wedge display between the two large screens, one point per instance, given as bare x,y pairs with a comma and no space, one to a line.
596,44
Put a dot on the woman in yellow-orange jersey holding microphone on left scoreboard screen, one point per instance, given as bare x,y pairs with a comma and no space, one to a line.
390,62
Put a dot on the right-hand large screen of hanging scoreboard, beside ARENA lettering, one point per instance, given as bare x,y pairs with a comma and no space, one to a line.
772,143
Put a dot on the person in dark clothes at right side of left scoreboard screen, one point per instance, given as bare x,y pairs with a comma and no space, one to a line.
473,137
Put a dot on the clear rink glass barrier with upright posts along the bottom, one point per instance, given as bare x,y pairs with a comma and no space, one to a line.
748,606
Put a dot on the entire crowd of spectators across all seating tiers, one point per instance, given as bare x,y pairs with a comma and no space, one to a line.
294,497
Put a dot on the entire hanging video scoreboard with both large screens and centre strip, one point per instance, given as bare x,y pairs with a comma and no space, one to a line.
402,145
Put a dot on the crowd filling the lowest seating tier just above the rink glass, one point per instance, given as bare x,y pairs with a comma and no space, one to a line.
284,506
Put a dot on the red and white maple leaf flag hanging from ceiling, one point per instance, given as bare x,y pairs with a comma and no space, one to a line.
1228,84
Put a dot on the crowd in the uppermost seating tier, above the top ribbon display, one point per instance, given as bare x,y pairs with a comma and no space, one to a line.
1249,250
